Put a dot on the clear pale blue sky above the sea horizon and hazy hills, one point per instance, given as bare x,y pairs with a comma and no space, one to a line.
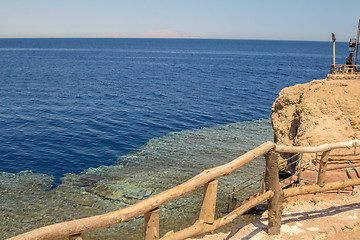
234,19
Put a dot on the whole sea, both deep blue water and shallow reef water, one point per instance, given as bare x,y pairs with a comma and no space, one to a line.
89,126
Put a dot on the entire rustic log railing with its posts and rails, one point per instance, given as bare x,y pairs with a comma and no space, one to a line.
206,222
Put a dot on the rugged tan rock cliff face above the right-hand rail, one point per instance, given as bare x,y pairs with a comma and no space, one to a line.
319,112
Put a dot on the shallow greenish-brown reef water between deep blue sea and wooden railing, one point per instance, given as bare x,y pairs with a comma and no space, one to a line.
29,200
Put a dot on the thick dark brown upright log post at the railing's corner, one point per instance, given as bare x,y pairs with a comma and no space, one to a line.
275,204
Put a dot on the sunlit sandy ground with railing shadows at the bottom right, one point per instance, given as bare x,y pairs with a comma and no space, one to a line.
332,216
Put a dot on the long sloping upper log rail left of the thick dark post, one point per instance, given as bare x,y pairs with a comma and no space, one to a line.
73,227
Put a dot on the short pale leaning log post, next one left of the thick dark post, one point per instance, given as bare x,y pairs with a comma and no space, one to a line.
207,212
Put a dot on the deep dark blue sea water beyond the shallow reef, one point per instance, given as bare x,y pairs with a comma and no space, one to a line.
70,104
